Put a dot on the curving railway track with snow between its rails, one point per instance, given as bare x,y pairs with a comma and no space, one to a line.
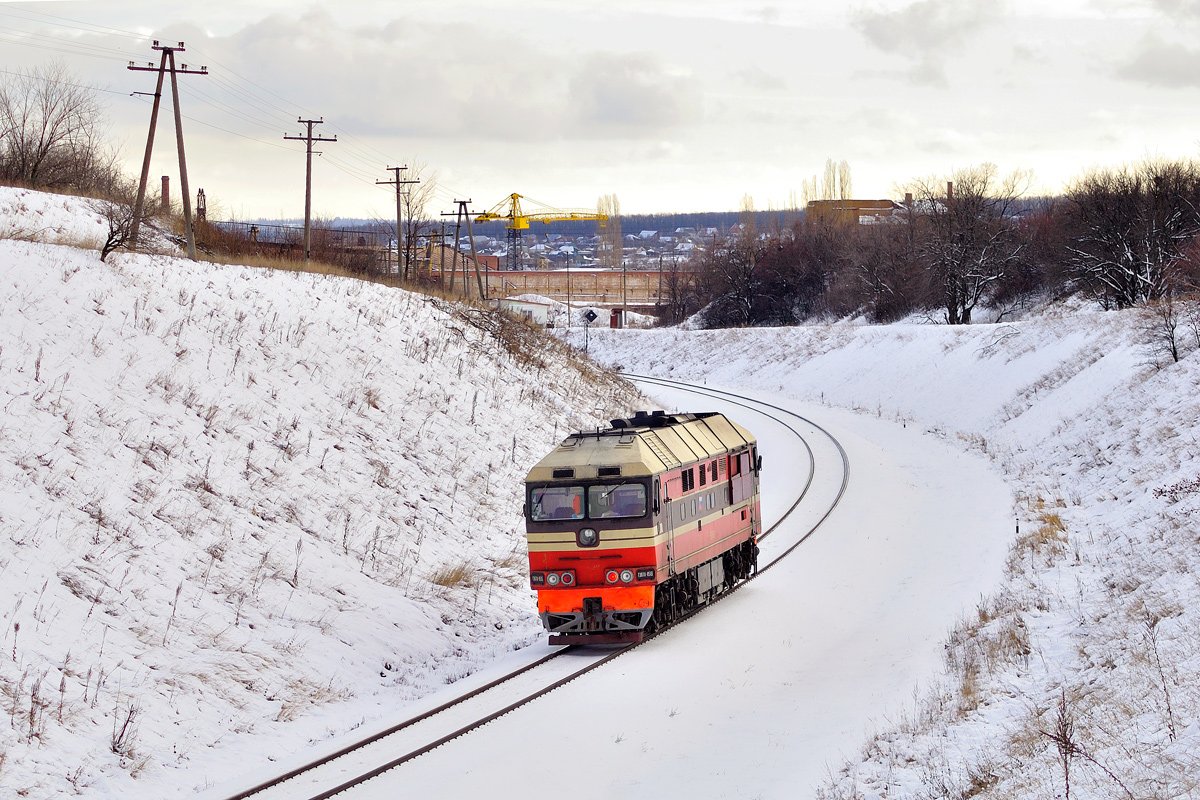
377,754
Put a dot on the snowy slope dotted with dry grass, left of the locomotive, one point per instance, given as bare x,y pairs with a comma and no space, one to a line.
242,510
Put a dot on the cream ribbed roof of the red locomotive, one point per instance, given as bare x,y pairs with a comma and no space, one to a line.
645,444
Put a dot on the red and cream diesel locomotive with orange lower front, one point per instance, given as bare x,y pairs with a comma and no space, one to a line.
633,526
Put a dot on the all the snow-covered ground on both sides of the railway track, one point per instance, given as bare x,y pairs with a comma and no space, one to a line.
243,513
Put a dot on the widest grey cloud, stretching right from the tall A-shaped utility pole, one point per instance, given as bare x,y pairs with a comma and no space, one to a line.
423,79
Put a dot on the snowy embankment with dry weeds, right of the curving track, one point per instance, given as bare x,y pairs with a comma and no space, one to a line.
1087,654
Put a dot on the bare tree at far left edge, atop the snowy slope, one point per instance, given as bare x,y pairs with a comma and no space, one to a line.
52,131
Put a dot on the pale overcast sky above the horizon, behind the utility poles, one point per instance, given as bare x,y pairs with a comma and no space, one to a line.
671,105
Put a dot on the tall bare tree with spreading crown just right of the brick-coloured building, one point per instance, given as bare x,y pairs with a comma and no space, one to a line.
968,234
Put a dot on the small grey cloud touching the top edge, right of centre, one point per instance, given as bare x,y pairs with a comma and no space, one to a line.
926,26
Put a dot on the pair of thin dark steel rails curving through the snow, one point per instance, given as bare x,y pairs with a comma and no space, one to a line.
724,396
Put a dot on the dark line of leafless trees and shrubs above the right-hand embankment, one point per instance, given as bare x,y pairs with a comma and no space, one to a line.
963,244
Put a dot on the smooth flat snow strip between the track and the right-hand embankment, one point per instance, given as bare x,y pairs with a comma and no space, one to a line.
757,696
